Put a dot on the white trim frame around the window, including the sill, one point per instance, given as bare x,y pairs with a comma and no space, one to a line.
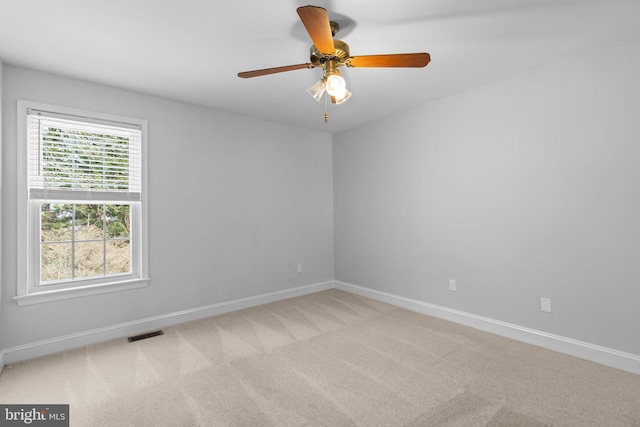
26,293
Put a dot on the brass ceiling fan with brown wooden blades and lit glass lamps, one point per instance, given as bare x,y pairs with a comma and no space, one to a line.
330,54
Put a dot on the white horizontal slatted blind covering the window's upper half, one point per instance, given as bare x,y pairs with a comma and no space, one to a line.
84,159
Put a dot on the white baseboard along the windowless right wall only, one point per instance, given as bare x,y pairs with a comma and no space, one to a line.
602,355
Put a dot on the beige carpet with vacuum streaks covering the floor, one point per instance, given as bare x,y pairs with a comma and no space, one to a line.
327,359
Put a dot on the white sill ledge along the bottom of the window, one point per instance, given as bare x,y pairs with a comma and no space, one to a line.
62,294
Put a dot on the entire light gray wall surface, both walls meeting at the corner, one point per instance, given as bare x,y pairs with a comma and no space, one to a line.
521,189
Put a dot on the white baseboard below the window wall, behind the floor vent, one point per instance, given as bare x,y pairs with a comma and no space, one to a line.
68,342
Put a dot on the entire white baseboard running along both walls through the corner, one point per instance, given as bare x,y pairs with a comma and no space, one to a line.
603,355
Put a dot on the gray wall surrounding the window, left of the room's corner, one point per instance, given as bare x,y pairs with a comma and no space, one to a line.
235,204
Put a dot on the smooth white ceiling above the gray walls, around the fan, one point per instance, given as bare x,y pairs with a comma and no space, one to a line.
192,50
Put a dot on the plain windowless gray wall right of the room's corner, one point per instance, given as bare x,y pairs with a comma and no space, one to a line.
524,188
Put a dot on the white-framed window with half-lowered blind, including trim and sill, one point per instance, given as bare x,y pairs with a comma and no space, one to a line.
82,203
